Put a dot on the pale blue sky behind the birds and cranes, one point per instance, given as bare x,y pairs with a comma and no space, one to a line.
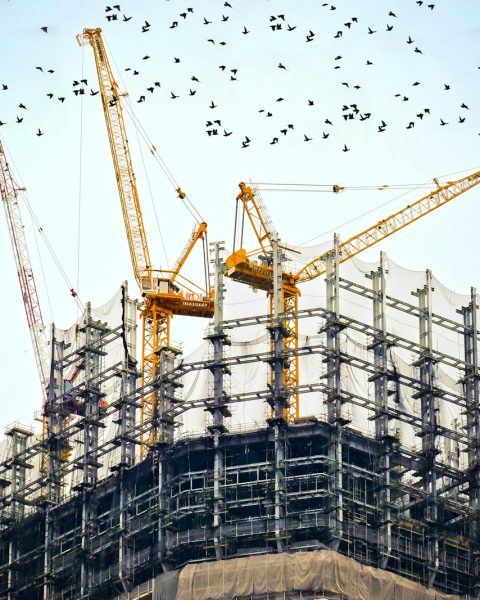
68,171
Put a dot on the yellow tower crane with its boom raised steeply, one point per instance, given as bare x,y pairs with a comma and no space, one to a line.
166,292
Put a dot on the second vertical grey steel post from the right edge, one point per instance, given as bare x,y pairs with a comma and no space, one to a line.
428,432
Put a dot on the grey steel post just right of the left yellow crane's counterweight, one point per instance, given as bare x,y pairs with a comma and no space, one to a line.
219,409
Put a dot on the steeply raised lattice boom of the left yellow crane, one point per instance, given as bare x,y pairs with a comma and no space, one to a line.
117,136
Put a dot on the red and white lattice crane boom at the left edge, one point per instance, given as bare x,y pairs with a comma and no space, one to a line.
10,196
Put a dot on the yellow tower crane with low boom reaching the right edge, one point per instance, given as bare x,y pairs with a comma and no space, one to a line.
243,267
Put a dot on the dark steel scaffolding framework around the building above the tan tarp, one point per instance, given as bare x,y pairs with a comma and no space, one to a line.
102,519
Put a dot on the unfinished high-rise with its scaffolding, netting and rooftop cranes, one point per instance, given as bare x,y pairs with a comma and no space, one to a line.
326,446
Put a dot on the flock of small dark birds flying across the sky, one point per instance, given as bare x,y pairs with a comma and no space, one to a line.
214,126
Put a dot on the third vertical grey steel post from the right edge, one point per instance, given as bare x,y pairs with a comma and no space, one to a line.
382,419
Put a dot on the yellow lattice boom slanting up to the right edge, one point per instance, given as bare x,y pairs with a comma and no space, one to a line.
374,234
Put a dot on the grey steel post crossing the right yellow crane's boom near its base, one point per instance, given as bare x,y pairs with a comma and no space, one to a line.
335,415
